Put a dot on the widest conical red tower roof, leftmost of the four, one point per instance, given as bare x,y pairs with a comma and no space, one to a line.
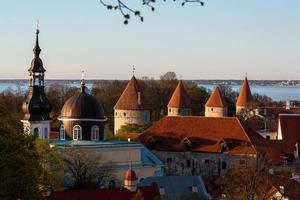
132,97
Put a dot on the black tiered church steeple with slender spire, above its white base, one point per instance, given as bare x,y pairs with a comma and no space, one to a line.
36,107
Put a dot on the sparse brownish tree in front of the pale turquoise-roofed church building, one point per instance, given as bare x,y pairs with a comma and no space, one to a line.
85,170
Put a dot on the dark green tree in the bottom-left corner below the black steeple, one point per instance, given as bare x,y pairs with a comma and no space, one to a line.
20,169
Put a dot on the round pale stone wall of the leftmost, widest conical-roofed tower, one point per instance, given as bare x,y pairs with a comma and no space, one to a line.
123,117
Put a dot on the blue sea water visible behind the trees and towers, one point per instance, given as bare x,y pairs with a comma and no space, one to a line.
277,93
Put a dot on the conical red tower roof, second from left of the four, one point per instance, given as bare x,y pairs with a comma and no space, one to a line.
180,98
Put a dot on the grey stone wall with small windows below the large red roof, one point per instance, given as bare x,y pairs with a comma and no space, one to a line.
207,164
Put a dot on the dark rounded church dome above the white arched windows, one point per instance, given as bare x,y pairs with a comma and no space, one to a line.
82,106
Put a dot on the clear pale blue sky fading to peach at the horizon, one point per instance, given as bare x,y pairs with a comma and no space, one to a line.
221,40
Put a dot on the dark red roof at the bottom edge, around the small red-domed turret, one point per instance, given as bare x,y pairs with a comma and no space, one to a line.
147,193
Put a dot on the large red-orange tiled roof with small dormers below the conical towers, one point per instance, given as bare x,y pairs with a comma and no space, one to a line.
204,133
